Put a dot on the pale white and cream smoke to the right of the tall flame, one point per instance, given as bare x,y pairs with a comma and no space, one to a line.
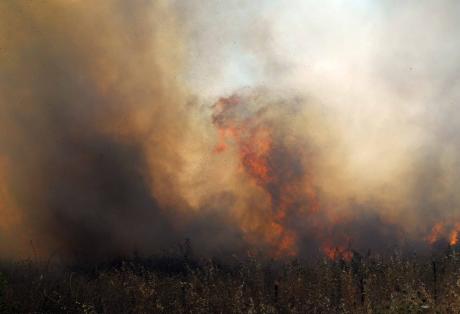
379,81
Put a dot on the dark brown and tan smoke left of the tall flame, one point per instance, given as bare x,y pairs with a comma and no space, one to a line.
92,124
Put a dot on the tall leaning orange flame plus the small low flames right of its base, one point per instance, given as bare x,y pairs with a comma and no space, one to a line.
290,190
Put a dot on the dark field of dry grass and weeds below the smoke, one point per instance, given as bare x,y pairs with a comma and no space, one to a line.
178,282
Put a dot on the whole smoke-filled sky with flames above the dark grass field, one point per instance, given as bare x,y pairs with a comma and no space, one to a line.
291,127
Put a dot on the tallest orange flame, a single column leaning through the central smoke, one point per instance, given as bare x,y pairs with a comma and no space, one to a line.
259,152
